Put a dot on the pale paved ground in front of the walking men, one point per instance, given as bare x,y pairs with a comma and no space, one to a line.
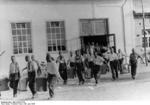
123,89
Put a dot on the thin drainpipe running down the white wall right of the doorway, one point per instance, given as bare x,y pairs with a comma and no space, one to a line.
123,21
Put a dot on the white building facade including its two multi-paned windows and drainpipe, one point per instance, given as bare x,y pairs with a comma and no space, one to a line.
37,27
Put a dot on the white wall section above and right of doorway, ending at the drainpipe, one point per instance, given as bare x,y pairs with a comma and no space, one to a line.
115,21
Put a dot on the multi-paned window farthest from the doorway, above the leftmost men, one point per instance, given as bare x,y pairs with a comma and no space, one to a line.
21,34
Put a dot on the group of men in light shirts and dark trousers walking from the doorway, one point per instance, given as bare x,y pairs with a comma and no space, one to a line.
92,59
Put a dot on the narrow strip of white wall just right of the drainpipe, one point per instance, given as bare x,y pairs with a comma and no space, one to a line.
129,26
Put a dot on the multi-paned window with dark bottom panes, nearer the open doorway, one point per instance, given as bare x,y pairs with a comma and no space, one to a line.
56,36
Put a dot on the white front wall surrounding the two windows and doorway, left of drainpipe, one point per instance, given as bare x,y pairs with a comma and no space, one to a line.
38,13
